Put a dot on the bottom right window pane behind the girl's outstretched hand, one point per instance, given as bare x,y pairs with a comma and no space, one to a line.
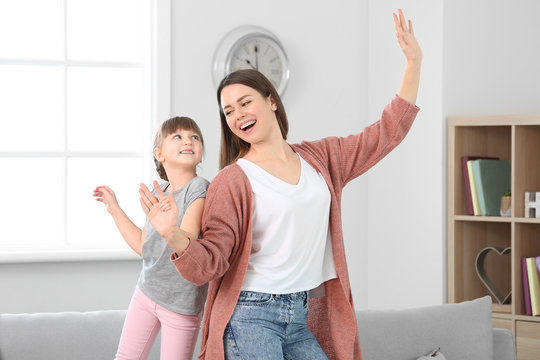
89,223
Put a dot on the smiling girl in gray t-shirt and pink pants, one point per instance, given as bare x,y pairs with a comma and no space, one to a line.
163,298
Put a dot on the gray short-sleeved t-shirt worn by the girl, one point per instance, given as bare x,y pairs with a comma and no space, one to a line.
159,279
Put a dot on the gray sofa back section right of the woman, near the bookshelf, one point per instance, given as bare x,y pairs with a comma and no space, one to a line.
463,331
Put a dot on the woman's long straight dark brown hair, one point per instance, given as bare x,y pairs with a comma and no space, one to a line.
232,147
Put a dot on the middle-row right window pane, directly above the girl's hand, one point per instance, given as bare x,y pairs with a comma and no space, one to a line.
105,109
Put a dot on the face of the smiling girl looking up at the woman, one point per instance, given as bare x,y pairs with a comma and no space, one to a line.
182,148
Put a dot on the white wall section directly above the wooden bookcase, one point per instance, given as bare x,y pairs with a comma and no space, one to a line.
492,57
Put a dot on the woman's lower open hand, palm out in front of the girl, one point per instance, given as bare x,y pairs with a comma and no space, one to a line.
162,211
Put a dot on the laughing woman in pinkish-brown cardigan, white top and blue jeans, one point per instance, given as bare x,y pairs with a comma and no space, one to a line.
271,231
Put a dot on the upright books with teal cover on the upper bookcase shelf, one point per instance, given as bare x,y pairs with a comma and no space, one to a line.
485,180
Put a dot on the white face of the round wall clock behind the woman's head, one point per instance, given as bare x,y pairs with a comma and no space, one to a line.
263,54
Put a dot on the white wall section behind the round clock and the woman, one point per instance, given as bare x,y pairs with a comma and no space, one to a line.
327,91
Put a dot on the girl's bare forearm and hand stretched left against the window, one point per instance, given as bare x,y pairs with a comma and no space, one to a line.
132,234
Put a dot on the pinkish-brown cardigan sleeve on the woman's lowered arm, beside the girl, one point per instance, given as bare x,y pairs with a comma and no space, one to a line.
210,256
